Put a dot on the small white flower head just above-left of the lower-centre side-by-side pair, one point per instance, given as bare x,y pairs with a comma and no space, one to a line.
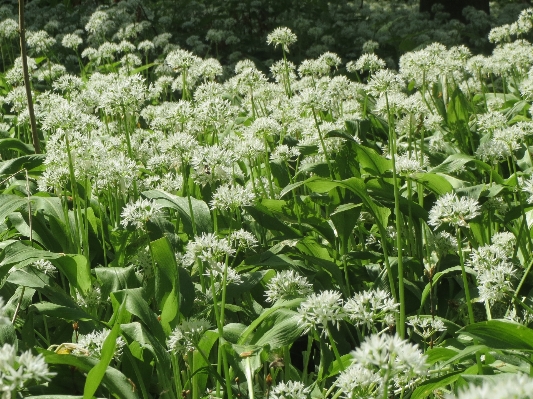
287,284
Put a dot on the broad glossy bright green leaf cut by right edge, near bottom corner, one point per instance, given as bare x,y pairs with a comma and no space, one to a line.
501,334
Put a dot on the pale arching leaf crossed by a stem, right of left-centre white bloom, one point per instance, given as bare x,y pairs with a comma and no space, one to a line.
201,213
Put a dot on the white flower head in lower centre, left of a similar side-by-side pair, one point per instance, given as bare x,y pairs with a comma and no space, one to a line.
319,309
